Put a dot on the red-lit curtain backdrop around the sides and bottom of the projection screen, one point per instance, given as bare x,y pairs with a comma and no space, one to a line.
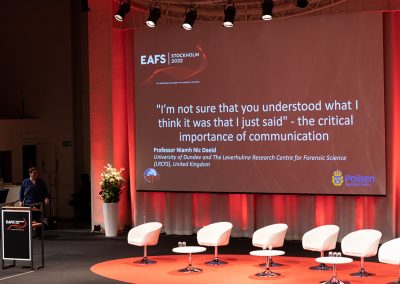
113,140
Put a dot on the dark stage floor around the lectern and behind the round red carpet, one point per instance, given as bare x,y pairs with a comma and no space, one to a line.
69,254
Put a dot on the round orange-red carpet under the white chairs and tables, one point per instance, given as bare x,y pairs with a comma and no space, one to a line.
240,269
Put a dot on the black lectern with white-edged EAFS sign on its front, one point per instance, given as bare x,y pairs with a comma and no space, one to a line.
16,230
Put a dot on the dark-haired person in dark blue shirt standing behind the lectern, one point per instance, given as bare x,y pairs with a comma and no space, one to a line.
34,190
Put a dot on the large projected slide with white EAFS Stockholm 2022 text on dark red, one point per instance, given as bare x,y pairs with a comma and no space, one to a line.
291,106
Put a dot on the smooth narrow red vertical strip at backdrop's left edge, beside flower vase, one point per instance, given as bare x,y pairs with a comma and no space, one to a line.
100,86
